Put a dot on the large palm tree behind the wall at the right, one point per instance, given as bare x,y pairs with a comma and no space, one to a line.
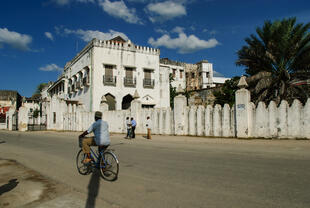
274,58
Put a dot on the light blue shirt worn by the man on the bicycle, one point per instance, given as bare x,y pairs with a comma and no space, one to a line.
101,132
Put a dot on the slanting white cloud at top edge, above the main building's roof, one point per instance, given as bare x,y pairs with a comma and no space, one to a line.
119,9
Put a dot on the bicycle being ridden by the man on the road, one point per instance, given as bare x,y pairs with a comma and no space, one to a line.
105,160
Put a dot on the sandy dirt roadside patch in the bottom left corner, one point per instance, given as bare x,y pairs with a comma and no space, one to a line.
23,187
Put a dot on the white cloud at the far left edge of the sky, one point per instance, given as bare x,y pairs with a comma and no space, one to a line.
15,39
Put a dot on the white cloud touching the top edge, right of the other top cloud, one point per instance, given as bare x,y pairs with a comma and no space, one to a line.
166,10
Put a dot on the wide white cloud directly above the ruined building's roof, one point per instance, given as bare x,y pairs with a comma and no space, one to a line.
183,43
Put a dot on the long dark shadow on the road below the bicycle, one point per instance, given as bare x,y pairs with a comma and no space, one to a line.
93,189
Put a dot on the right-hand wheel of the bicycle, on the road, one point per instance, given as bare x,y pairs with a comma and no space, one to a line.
109,166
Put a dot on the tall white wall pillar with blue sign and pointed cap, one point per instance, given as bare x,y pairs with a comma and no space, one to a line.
243,111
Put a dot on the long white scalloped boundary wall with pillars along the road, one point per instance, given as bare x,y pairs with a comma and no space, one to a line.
244,120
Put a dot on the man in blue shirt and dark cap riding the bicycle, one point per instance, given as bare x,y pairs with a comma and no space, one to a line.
101,138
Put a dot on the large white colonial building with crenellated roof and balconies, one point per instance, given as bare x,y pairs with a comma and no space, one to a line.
113,69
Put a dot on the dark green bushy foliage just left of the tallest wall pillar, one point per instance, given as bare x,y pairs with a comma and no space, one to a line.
227,93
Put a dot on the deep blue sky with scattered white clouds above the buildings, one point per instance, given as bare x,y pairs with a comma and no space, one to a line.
38,37
